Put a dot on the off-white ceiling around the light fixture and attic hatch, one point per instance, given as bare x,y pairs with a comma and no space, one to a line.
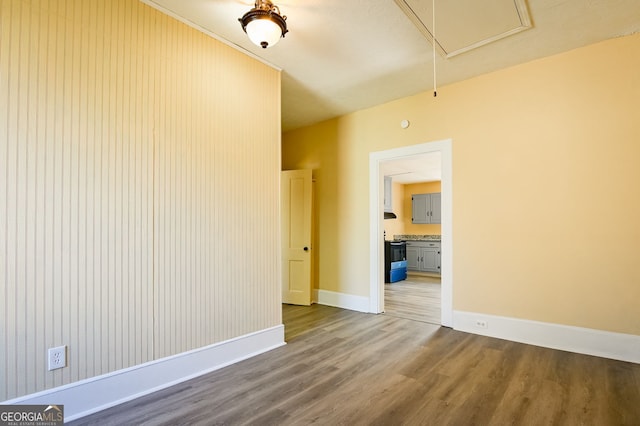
344,55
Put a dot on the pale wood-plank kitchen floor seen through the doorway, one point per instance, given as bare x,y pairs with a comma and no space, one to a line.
416,298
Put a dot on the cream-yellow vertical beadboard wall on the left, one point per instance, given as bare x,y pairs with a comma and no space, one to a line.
138,192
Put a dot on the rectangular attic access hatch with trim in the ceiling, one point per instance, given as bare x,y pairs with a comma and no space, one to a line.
463,25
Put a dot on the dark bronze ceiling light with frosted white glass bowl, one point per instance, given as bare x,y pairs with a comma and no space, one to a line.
264,24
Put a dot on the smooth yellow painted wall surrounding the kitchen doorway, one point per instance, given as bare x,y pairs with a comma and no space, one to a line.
546,186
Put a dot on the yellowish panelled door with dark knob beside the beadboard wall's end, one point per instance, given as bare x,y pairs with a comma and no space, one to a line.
296,236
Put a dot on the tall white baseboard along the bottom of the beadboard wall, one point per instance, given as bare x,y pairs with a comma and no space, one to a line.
98,393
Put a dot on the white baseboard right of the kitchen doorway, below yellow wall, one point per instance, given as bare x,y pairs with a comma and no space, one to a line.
605,344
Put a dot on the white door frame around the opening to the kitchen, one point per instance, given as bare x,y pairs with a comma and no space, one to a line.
376,226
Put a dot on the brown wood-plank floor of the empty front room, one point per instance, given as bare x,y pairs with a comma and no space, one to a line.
347,368
